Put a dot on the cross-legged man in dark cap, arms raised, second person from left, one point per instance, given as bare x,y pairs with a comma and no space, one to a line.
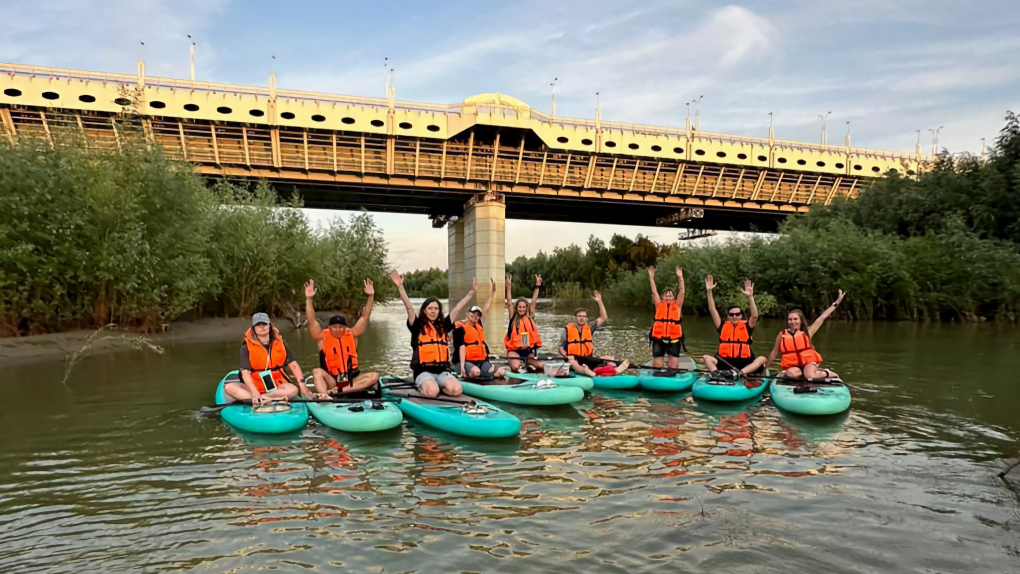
338,373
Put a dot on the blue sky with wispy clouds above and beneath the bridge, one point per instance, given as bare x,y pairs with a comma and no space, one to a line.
889,68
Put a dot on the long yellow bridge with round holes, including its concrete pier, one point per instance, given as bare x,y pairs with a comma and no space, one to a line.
468,166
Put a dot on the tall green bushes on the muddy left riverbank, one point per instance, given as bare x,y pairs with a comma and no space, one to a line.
90,238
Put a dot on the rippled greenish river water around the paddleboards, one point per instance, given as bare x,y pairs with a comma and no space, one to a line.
118,473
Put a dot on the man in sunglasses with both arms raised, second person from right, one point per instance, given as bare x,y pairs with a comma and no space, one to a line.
735,335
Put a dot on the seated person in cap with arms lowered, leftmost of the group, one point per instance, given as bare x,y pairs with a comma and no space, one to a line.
264,358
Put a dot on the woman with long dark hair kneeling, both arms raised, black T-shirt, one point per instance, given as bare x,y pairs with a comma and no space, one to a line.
431,342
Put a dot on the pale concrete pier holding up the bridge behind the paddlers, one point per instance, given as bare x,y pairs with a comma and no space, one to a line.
478,249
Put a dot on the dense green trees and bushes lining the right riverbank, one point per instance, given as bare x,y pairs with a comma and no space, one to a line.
945,246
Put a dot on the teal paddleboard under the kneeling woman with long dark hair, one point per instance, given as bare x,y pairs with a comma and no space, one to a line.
460,415
